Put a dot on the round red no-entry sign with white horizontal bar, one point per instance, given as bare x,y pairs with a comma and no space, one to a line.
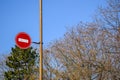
23,40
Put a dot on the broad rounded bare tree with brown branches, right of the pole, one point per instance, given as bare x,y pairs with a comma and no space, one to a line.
81,54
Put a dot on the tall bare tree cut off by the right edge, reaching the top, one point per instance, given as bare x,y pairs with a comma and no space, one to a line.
110,17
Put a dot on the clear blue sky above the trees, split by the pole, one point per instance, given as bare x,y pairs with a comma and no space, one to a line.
23,16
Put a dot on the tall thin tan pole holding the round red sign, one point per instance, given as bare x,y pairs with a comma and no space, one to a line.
41,46
